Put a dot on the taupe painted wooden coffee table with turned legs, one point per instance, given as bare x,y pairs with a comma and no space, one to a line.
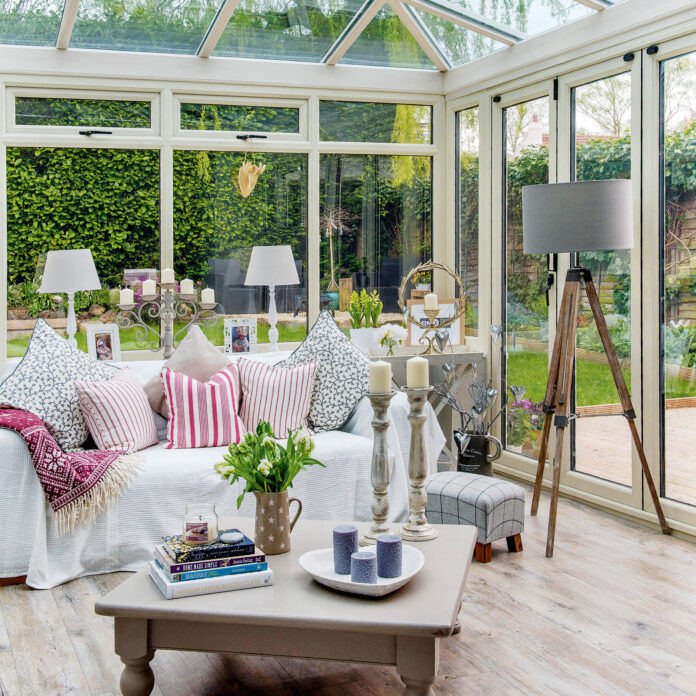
297,617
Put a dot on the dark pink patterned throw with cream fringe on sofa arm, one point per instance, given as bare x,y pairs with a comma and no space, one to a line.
78,485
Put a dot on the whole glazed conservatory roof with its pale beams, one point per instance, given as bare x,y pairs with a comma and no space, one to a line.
426,34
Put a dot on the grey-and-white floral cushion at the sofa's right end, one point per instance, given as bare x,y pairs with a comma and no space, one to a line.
342,378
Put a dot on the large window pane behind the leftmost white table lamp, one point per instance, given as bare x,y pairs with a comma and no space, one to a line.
103,200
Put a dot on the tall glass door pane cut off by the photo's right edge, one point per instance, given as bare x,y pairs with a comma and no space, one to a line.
679,277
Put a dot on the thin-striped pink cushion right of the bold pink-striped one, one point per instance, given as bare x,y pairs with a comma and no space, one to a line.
281,396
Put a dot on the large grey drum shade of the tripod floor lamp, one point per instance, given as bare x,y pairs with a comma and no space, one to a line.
577,216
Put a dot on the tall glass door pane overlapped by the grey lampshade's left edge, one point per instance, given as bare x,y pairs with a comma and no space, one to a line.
526,313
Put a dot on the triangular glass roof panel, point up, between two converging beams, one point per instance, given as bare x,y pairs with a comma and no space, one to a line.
386,42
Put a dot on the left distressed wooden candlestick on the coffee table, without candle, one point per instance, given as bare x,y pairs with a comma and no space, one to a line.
380,469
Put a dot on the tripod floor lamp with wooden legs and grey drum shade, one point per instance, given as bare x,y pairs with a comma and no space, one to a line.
575,217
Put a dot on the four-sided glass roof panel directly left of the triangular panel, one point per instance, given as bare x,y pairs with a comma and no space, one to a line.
301,30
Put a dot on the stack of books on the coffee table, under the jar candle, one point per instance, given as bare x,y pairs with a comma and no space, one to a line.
182,570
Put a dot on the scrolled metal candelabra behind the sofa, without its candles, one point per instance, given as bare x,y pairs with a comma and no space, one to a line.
166,306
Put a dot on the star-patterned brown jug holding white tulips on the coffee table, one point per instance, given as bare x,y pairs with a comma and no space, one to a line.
269,470
